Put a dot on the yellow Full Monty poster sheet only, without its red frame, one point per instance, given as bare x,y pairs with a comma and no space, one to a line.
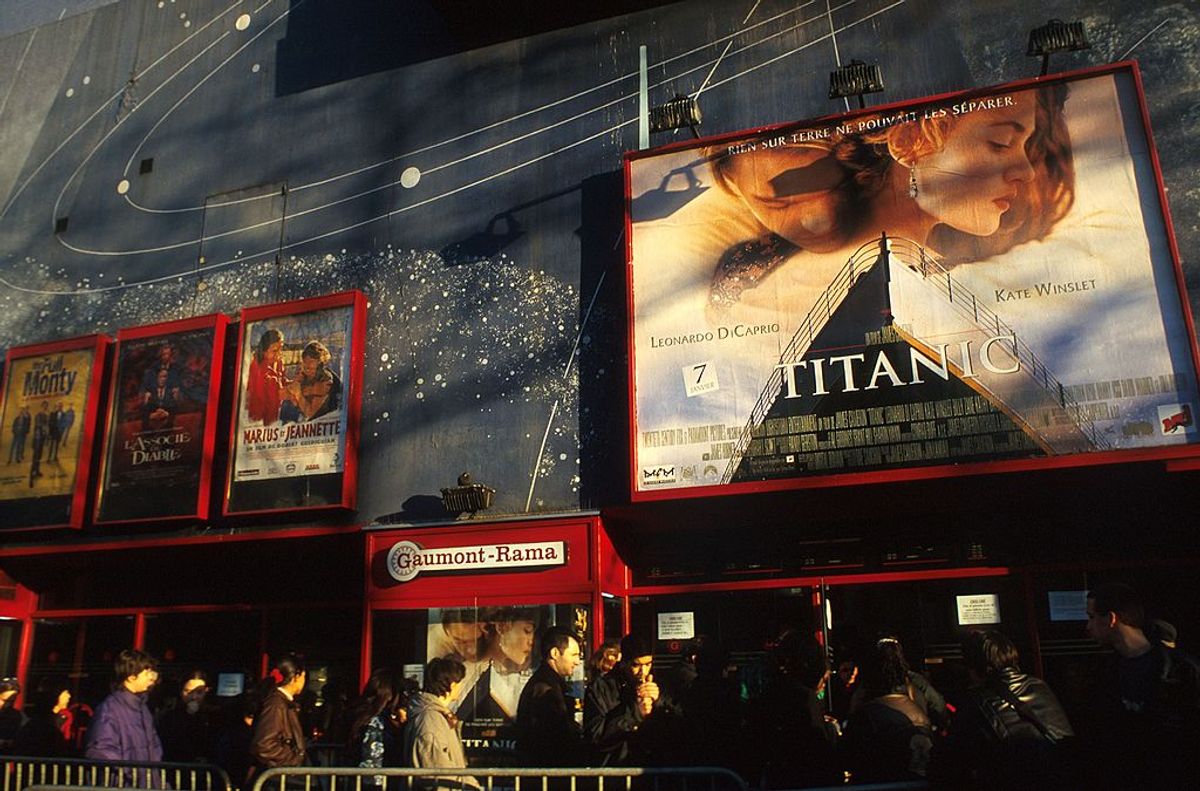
41,429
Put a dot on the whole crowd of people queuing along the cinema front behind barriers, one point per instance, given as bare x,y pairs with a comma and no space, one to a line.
873,720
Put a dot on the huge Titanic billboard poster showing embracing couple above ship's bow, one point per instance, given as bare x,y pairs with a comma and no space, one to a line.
985,277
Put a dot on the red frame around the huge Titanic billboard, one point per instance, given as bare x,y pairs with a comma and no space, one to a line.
817,481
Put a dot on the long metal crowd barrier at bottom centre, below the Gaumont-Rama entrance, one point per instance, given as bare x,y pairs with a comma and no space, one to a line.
496,780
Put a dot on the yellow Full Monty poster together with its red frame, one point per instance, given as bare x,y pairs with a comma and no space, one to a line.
51,402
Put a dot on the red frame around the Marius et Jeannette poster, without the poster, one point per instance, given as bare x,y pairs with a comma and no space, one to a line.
352,391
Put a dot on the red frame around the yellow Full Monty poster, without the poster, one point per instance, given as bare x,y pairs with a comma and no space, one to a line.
99,346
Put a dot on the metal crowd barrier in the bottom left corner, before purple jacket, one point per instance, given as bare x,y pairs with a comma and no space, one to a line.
22,774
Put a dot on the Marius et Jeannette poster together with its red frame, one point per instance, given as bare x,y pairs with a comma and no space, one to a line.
296,422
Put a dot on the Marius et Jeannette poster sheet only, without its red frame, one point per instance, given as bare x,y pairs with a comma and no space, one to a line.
292,417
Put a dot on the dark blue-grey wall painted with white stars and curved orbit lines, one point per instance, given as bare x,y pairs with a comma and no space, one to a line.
166,159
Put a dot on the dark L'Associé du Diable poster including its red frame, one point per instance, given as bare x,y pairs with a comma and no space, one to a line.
159,426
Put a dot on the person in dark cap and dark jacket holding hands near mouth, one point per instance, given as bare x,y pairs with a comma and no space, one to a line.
620,704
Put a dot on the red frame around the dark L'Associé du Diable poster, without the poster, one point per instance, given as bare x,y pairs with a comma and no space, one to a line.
219,323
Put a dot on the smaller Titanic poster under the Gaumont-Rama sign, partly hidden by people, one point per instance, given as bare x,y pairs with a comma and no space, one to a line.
499,649
